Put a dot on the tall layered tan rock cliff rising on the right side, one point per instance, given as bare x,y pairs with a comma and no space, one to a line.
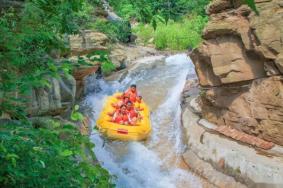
240,66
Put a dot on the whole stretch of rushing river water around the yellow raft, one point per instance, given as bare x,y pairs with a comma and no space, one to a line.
156,162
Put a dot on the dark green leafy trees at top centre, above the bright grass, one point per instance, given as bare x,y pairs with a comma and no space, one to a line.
145,11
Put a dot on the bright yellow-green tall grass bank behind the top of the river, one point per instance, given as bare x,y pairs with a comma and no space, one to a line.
175,35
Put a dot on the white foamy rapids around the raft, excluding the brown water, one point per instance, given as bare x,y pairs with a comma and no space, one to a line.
137,164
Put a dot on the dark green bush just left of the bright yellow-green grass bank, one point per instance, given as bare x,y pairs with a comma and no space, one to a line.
116,31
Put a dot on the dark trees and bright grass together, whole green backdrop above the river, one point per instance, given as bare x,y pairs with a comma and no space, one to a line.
170,27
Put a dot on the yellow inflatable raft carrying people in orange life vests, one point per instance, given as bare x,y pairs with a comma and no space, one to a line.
140,131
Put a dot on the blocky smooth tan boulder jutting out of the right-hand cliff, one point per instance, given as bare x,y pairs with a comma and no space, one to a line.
229,62
